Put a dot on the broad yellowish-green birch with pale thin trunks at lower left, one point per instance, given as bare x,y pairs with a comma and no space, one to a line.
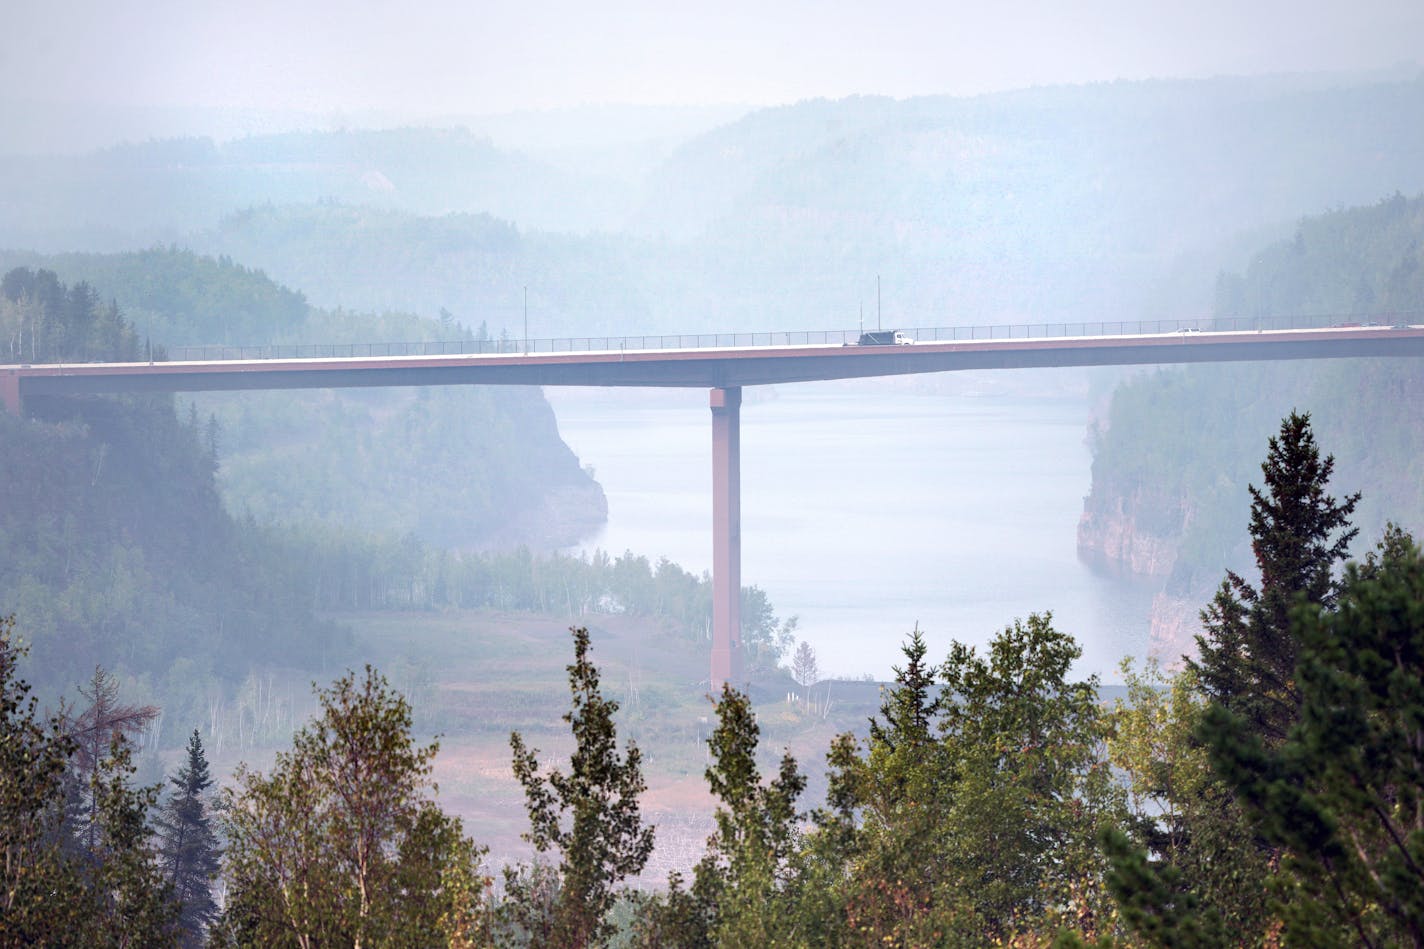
341,844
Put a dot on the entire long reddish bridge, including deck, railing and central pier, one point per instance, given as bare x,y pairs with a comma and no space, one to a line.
723,365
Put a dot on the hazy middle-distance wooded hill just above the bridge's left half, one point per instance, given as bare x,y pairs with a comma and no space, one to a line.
475,267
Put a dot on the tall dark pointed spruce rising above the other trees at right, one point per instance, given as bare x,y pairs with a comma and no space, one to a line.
1299,536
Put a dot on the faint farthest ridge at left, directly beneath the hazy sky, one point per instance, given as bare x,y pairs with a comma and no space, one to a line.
133,195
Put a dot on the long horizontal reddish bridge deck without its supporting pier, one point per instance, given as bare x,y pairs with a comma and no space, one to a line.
708,367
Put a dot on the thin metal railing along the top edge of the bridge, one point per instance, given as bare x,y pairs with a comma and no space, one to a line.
787,338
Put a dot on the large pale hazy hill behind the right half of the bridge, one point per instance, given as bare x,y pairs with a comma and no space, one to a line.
1047,204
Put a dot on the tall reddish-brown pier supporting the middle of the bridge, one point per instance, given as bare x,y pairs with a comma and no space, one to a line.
727,538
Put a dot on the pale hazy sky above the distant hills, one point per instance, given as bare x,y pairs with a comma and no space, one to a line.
476,56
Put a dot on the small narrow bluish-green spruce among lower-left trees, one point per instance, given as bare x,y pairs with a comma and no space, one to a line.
189,849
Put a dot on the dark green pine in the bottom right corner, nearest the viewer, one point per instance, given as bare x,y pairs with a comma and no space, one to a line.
1342,796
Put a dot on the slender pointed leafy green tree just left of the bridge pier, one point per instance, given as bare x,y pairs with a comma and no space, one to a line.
589,816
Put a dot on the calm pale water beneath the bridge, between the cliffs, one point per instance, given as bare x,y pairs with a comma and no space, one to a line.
869,508
